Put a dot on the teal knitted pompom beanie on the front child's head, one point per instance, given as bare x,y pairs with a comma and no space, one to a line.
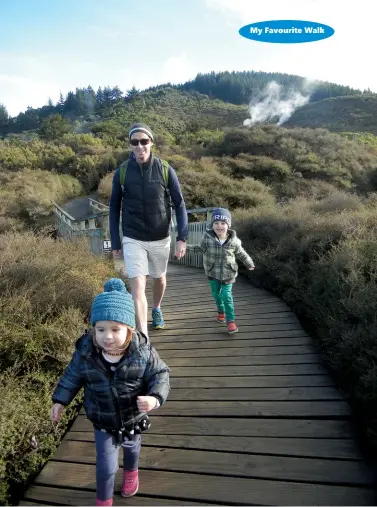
114,303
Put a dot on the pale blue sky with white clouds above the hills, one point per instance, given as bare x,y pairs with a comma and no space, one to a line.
58,45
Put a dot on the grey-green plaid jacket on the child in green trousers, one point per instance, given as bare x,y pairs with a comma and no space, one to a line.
220,261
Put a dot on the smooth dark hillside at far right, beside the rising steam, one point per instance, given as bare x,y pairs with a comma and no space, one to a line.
357,113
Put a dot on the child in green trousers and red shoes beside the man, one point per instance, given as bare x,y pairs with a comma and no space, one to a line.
221,249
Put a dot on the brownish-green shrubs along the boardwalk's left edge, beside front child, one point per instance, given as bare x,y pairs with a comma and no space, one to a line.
46,291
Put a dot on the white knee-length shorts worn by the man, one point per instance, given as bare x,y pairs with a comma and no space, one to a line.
143,258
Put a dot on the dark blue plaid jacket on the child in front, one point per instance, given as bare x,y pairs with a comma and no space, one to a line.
110,400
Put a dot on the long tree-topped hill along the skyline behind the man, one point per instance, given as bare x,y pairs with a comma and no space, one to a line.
211,100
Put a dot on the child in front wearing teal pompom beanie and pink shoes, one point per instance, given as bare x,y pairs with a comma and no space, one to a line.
123,379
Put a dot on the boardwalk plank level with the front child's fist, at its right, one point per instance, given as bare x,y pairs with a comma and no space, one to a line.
293,409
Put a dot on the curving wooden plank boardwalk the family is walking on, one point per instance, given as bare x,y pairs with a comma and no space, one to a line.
251,419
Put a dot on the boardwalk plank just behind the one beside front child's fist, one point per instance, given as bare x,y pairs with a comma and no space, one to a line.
254,394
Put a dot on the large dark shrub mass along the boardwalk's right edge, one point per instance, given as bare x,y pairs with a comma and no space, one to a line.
323,264
